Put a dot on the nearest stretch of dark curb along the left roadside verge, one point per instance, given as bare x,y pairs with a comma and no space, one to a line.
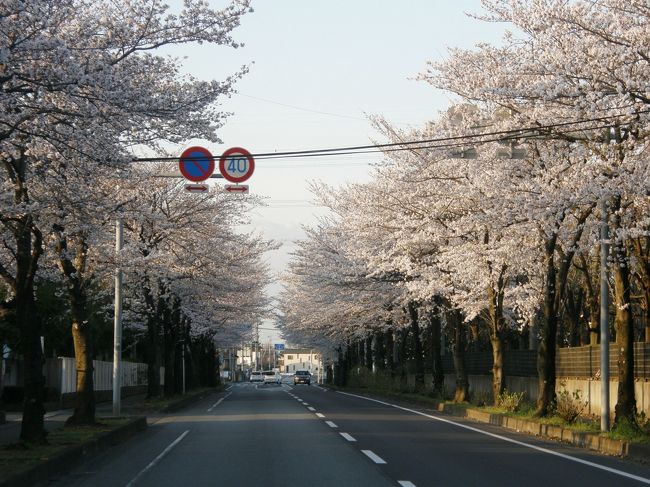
74,455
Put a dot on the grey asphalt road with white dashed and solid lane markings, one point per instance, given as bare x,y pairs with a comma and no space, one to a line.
280,435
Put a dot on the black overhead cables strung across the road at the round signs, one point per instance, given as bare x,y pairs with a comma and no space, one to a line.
436,143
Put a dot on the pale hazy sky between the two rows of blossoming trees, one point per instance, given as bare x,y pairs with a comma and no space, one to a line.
317,70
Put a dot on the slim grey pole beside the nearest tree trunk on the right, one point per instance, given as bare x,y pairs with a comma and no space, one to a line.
604,317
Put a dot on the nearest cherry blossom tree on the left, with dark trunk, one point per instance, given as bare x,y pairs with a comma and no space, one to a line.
81,77
